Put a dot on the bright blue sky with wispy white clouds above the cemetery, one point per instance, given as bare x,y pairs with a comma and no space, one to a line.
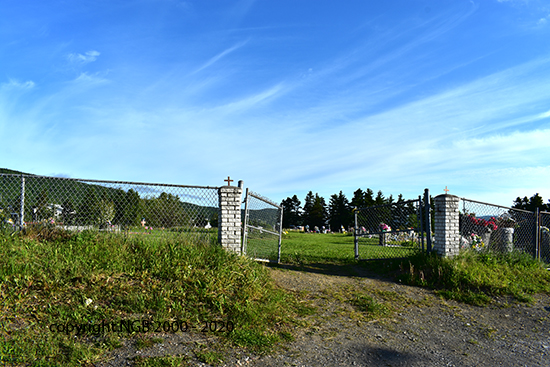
288,96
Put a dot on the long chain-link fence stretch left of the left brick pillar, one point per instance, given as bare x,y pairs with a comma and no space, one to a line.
132,208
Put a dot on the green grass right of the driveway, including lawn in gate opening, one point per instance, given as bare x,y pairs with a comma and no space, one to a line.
472,277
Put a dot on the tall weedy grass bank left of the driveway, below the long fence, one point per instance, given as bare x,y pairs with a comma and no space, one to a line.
91,278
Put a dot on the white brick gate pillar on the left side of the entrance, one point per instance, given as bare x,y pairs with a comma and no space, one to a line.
229,225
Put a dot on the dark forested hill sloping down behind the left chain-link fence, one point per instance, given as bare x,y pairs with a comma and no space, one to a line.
81,198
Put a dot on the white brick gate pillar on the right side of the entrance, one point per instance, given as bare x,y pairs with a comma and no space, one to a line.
447,231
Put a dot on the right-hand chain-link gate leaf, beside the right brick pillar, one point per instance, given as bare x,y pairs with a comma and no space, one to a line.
389,231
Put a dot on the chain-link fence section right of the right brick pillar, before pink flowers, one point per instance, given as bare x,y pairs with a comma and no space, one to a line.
502,229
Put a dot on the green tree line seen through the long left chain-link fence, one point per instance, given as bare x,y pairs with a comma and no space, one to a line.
101,206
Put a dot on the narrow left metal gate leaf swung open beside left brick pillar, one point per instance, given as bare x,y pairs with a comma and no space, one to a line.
262,229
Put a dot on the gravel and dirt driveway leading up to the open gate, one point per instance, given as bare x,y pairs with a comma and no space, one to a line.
420,329
